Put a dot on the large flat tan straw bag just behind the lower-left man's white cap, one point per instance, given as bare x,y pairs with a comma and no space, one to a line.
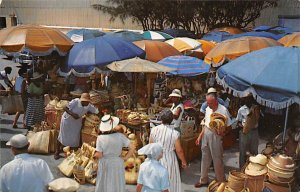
39,142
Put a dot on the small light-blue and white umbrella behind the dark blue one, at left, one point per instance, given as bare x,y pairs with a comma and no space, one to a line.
78,35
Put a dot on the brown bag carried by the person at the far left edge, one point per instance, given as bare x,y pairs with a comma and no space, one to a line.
12,104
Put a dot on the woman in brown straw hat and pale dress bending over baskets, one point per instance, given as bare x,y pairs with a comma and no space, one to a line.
71,122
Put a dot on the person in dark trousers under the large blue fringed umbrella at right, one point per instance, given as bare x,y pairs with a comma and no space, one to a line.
247,119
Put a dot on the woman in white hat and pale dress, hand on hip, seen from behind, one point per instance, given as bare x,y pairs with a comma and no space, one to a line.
111,170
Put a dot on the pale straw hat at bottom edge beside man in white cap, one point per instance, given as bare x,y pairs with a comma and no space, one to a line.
63,185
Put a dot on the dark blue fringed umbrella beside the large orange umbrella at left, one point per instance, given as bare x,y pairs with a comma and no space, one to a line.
100,51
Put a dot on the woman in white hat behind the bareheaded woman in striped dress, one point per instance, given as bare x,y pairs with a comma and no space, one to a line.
177,108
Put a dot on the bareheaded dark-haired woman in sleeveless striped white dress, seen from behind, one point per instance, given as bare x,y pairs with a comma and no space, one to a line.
168,137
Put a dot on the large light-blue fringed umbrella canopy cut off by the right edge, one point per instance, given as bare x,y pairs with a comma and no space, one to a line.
271,75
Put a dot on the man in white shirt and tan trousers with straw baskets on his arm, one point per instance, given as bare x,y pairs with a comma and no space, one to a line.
211,146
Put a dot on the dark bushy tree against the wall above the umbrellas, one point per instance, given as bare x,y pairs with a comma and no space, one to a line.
194,15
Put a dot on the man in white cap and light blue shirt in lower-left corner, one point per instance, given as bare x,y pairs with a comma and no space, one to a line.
24,173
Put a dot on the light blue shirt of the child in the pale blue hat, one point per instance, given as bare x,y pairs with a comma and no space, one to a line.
153,176
